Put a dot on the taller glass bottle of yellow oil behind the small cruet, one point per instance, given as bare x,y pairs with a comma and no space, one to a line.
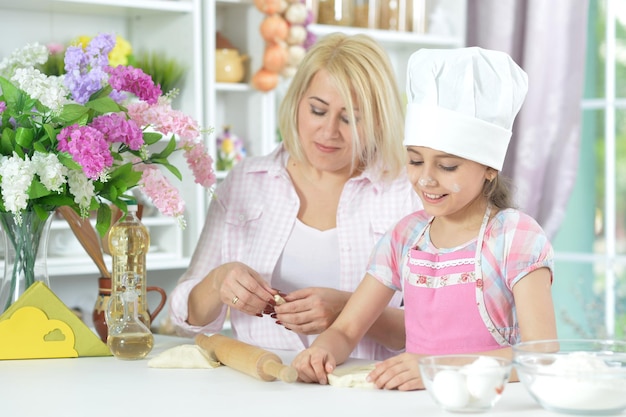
129,241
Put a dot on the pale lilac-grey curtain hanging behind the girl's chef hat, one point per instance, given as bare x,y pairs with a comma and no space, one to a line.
547,39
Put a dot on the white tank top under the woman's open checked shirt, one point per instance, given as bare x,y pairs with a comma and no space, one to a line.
310,259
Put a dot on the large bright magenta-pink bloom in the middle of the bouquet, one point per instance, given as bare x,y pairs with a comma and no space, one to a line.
87,147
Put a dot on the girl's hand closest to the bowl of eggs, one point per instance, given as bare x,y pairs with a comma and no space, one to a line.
399,372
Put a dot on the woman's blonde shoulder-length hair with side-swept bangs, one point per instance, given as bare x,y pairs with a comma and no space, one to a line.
359,68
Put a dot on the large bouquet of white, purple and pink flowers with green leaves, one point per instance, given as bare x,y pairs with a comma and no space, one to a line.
84,139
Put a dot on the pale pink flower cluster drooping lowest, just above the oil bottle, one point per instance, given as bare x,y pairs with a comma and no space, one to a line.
163,195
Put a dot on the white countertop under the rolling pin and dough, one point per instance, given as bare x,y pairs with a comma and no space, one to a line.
109,387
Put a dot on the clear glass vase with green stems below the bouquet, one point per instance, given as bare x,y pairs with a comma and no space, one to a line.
25,253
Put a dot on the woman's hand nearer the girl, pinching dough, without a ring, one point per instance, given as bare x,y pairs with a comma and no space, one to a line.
311,310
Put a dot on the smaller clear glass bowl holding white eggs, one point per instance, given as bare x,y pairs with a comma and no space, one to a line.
465,383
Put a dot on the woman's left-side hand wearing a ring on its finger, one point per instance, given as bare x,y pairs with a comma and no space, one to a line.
243,289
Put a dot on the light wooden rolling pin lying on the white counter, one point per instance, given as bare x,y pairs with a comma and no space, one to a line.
246,358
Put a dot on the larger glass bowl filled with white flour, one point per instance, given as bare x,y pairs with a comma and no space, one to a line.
574,376
